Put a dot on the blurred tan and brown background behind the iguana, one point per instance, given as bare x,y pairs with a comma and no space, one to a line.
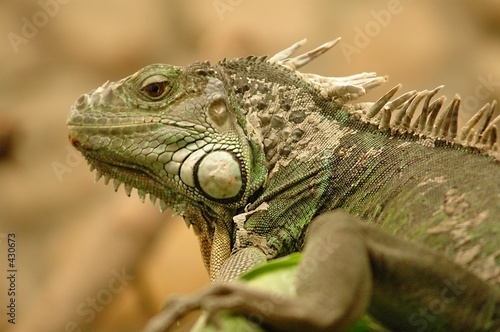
90,259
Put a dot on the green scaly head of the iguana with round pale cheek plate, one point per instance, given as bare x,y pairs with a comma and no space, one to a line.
168,131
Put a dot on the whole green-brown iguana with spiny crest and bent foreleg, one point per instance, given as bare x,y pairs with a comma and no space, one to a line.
396,211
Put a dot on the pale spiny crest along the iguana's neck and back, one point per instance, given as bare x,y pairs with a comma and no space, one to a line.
413,113
